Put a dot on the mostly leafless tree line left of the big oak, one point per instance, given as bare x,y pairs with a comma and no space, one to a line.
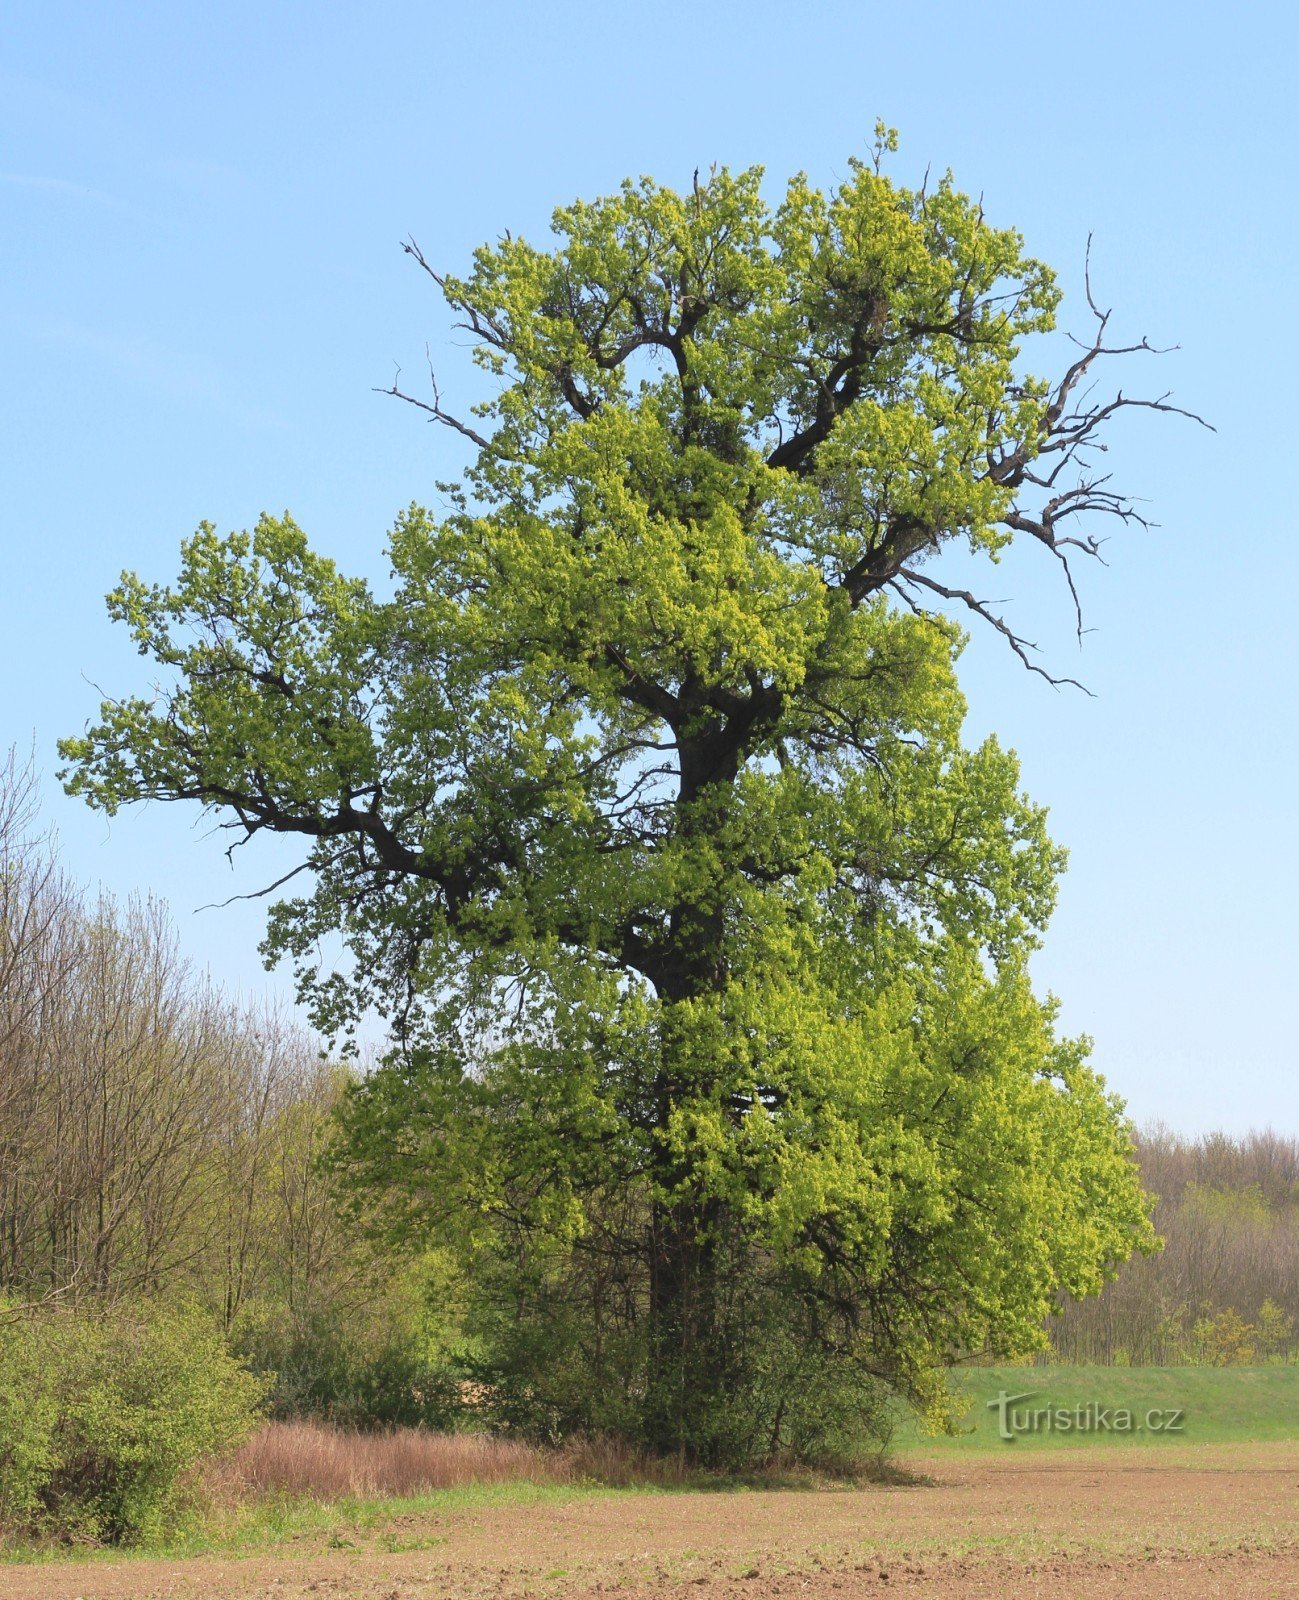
161,1140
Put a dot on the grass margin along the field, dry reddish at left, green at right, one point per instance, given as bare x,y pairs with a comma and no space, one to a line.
305,1487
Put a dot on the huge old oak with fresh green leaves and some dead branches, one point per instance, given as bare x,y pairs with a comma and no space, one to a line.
644,810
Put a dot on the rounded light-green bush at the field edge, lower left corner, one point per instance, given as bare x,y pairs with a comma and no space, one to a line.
105,1417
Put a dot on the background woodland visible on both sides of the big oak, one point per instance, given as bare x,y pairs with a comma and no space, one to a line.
159,1140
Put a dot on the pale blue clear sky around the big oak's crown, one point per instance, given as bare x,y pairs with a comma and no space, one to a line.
202,284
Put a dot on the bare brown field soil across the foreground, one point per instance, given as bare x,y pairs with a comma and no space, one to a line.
1210,1522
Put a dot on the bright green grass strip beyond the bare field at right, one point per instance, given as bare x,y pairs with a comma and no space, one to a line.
1221,1406
